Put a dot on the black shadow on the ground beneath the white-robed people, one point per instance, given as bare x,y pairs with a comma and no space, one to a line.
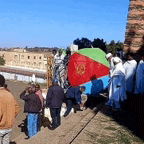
131,116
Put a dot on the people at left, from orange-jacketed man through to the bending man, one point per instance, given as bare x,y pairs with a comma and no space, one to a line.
34,105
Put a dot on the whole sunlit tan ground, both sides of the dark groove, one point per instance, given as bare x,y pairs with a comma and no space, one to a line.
86,127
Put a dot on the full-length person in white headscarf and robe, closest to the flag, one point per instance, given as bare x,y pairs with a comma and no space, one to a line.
117,90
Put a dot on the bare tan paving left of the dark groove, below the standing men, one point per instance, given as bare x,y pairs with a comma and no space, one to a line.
45,136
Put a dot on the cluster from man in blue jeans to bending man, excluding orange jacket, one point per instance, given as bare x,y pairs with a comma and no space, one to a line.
34,104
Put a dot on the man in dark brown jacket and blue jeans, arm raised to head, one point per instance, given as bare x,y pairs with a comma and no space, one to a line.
32,107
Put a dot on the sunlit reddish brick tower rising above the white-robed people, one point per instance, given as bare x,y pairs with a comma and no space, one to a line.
134,37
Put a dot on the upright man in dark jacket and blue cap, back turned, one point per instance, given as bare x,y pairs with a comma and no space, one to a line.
54,99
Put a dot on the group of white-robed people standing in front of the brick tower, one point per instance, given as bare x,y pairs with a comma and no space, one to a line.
126,79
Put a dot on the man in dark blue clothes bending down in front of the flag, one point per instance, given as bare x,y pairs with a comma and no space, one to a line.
73,97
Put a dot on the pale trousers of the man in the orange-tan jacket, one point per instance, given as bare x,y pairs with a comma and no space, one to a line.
5,136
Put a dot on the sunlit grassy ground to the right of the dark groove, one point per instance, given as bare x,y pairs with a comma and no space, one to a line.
104,130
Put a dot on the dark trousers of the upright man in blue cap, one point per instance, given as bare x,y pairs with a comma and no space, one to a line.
55,114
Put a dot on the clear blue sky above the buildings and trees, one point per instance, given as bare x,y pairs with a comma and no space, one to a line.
59,22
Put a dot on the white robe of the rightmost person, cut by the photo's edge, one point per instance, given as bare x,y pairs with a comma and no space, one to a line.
139,87
